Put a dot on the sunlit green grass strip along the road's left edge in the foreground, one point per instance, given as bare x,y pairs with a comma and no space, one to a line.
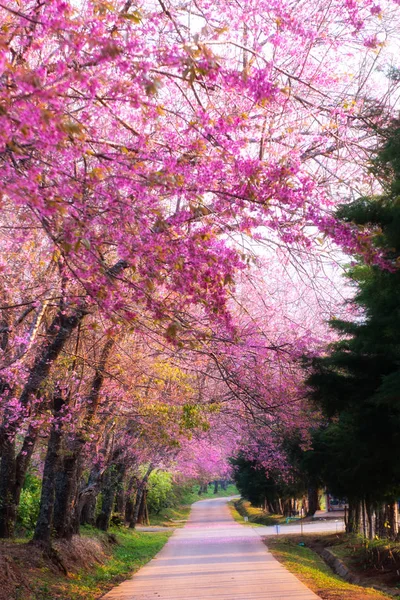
134,550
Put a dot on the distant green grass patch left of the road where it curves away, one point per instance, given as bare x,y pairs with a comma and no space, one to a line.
176,516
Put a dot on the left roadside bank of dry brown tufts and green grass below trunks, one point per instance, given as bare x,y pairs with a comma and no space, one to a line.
94,562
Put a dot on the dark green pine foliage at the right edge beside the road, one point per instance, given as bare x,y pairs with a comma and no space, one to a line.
357,384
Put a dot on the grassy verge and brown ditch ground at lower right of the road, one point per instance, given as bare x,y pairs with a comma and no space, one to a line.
299,555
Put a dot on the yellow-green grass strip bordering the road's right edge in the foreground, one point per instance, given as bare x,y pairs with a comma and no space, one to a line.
313,571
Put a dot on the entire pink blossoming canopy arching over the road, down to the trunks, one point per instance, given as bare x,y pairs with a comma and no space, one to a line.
170,178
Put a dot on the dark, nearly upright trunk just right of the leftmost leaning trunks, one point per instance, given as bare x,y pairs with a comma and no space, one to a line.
44,523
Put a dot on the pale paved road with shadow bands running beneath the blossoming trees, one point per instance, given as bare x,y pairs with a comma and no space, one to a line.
213,558
